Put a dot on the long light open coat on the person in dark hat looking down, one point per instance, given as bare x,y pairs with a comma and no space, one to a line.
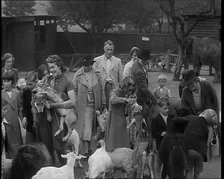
81,91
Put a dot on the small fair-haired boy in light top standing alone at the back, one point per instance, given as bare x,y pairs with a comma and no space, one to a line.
161,91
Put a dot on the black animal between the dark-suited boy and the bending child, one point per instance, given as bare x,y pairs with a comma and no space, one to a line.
172,150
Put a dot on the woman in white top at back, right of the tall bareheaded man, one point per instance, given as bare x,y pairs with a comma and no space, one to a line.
134,53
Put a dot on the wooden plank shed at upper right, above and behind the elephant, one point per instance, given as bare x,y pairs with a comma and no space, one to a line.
209,27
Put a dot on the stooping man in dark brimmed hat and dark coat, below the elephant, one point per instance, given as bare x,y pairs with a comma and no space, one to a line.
197,95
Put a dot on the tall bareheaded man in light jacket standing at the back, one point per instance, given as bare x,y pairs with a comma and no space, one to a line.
110,68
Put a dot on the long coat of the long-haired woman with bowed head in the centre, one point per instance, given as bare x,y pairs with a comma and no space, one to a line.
116,130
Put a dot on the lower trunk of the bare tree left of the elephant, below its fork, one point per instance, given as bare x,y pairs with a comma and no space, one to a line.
177,71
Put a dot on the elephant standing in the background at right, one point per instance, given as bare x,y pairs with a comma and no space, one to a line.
205,51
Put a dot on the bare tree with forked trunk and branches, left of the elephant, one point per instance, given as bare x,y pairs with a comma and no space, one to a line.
174,10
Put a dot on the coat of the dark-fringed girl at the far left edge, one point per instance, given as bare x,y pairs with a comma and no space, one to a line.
12,116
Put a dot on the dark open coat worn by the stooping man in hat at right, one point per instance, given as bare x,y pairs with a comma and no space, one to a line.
209,98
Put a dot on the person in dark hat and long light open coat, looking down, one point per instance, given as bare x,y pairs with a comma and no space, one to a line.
90,97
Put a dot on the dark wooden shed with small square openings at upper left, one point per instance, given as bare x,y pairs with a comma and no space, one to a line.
29,38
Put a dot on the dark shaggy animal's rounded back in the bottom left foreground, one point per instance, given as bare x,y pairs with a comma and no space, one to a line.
28,160
